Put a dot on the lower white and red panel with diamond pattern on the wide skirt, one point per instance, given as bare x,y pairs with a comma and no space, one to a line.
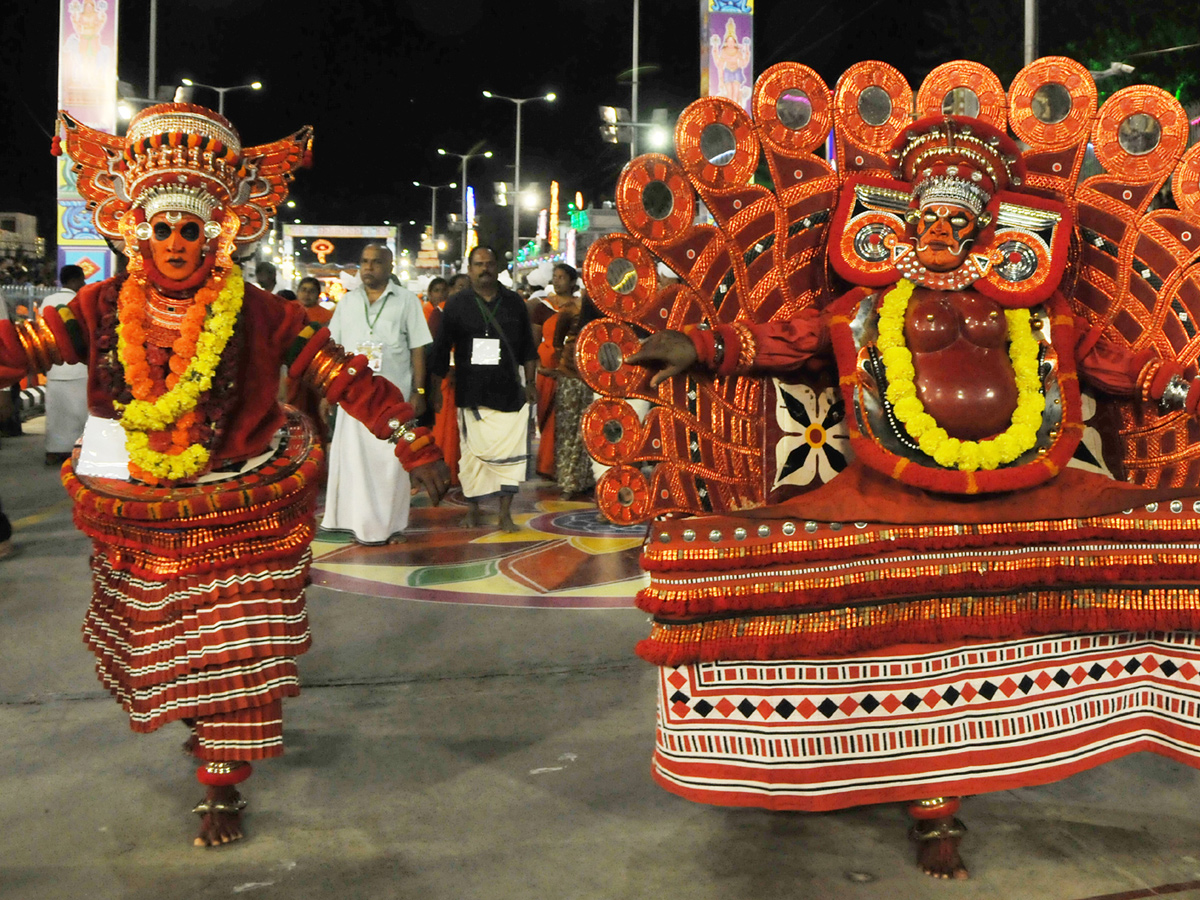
908,723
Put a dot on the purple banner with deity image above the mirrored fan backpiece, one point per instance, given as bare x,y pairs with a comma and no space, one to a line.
727,50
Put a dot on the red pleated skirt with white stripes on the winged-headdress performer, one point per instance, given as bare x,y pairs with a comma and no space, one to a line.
199,608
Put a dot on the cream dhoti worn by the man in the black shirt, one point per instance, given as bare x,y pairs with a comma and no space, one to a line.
495,449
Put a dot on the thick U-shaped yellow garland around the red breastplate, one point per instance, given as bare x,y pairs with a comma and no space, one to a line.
933,440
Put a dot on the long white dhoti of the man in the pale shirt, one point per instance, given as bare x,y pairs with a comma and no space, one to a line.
369,491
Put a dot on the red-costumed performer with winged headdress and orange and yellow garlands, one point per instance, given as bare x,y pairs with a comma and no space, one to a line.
202,532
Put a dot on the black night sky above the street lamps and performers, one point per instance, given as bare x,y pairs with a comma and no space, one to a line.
387,83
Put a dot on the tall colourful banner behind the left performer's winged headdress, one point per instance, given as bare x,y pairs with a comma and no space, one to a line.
87,91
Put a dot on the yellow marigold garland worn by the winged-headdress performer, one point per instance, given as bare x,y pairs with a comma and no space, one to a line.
141,417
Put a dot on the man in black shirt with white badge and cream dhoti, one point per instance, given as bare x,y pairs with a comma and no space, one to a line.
488,329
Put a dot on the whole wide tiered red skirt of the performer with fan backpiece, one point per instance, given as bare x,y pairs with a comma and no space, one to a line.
820,665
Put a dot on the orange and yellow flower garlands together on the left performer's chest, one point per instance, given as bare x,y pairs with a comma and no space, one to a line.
164,430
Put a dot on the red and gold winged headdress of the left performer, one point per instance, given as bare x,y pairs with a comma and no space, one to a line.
182,158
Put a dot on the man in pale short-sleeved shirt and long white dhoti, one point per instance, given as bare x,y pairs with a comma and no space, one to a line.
368,494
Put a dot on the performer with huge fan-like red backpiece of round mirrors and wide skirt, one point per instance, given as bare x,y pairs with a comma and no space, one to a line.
925,512
